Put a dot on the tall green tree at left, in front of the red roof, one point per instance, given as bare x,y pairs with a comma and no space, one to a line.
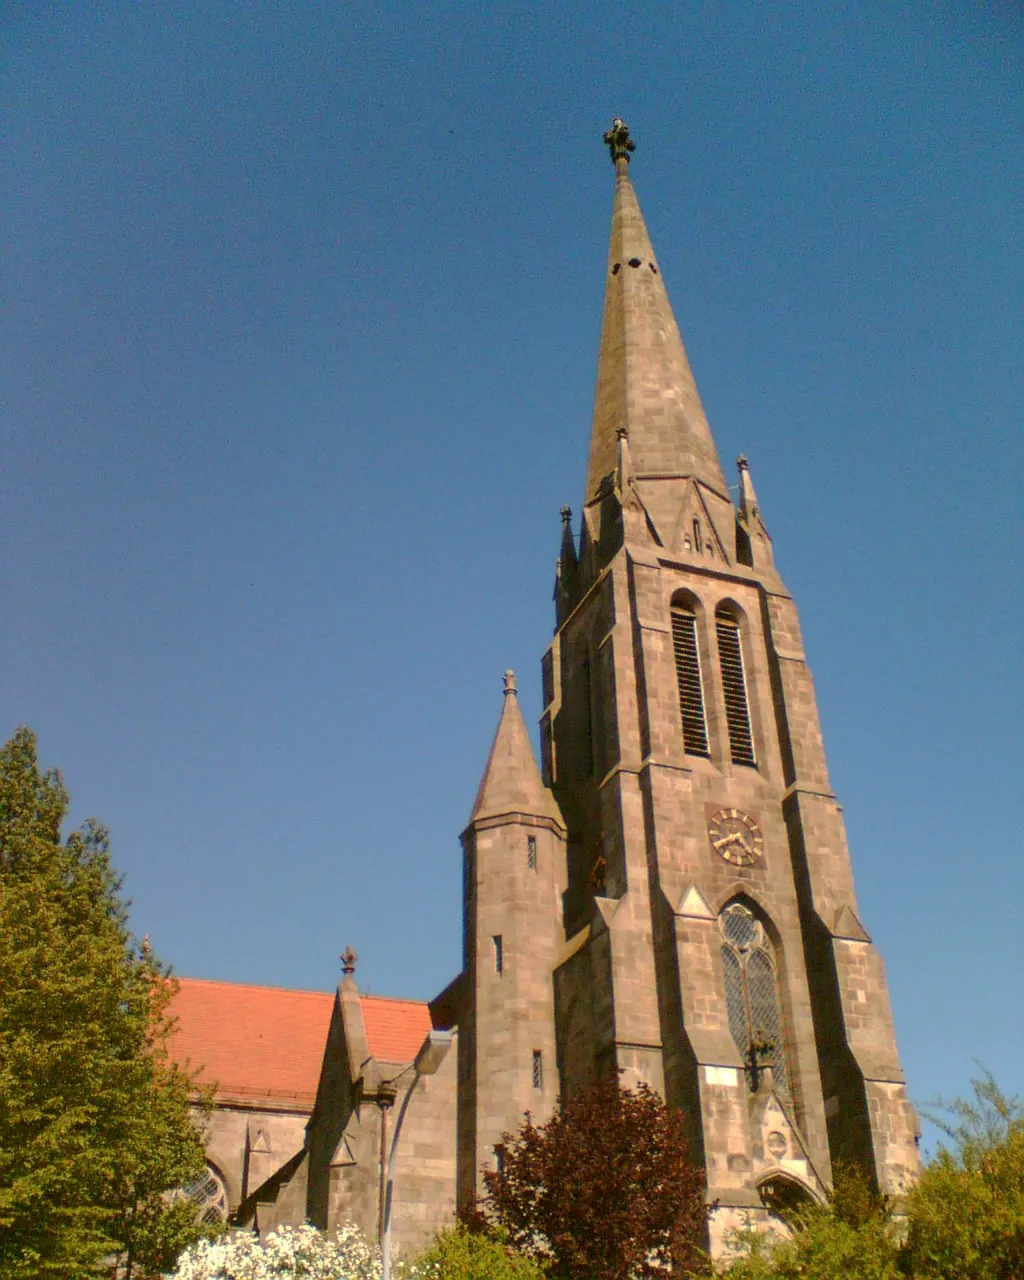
95,1124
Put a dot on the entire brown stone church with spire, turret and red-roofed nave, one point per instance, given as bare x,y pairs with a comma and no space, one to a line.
666,894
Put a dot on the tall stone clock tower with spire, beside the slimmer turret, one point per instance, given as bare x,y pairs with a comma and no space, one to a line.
712,940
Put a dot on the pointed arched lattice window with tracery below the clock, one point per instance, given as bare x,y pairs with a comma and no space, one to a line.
753,994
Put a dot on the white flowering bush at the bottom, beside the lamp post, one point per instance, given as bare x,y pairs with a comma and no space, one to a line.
287,1254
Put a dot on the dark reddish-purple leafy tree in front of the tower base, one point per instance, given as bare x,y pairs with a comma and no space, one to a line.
604,1191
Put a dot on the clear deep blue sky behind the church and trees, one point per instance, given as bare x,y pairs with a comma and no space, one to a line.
301,321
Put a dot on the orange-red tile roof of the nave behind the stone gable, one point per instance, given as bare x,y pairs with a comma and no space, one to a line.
268,1043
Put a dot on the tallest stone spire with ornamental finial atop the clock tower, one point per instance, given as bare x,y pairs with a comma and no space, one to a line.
644,378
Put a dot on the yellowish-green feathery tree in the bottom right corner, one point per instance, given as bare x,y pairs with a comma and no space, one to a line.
966,1214
